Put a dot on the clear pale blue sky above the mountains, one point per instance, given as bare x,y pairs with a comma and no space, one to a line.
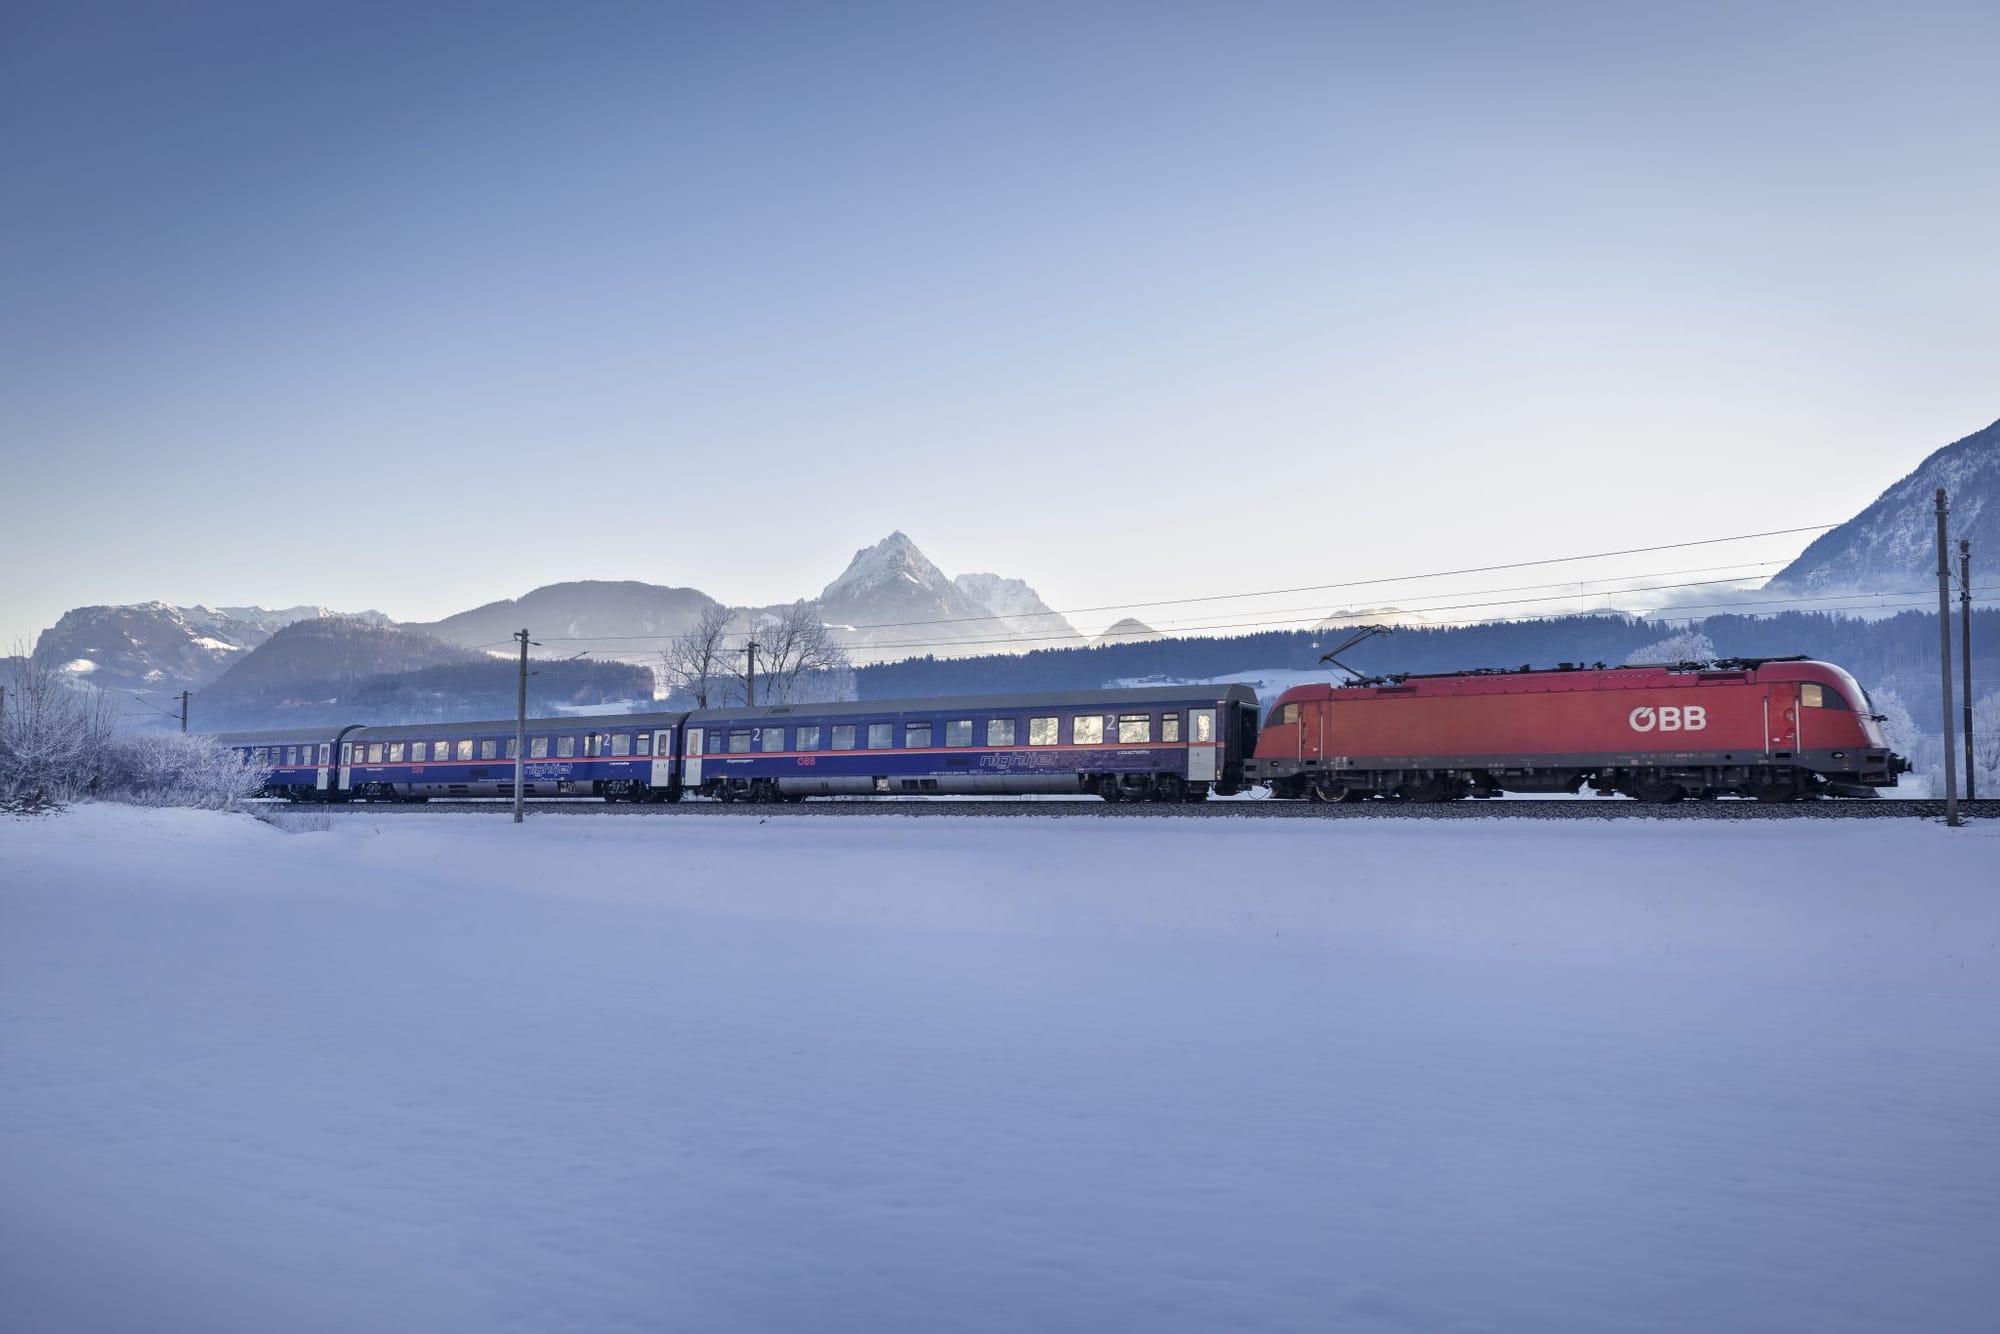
417,307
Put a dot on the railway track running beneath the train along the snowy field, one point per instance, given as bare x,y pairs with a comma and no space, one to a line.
937,809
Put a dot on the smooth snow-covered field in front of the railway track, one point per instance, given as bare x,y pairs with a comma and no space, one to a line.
997,1075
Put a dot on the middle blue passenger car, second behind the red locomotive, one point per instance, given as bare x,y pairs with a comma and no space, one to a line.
617,757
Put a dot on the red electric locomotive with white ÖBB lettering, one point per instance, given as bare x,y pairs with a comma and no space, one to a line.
1775,729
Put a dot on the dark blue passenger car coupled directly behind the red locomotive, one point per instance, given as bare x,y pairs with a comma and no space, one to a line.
1163,745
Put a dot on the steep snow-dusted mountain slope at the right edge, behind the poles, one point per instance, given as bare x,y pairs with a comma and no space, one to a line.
1893,545
